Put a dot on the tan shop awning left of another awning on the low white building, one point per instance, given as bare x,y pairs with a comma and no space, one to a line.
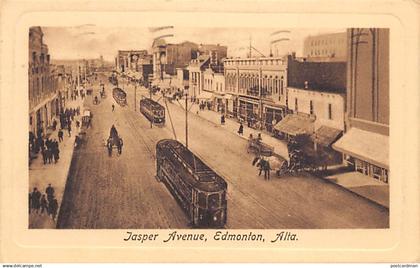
294,124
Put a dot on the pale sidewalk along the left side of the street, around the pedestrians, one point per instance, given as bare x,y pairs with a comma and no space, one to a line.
41,175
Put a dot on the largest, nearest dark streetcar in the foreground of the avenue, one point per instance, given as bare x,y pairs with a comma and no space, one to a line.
199,190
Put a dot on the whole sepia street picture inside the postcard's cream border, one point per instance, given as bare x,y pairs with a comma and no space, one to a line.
191,127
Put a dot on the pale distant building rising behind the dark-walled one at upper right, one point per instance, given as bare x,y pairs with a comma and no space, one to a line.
326,47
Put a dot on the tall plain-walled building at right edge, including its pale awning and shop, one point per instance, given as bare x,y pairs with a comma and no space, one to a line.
365,145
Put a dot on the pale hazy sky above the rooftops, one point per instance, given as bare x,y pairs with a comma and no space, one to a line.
89,41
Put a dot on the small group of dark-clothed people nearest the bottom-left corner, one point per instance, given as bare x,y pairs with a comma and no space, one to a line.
38,203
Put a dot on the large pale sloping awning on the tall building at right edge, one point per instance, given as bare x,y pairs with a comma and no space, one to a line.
365,145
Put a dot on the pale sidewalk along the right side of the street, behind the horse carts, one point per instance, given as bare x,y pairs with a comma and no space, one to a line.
356,182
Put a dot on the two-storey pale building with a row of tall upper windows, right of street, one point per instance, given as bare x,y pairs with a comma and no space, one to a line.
258,89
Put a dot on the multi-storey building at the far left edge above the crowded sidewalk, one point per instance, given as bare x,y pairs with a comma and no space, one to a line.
43,95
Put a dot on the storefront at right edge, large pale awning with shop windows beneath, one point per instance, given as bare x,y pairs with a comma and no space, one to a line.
365,152
